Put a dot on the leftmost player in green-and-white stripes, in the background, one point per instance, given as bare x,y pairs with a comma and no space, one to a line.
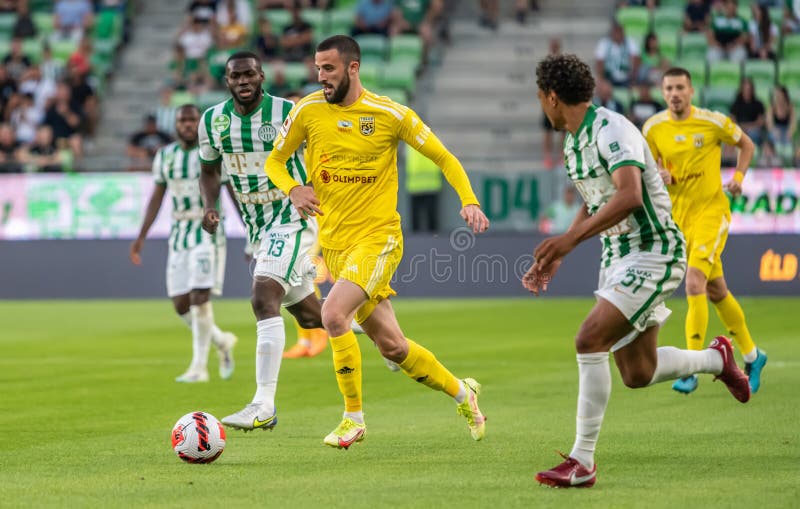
196,260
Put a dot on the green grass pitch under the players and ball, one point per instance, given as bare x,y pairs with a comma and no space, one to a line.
87,402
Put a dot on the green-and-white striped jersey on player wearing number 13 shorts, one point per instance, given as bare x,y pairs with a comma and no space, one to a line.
243,143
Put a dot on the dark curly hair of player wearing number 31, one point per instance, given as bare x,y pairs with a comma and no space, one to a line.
566,75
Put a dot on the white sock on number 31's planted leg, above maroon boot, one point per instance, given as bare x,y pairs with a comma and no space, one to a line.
594,389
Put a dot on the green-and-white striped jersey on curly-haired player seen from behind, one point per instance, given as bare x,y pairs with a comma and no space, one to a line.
604,142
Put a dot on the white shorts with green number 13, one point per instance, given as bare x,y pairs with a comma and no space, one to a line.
283,255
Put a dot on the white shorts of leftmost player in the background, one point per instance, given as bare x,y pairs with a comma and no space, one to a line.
198,268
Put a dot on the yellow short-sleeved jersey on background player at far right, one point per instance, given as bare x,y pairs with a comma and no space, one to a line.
691,151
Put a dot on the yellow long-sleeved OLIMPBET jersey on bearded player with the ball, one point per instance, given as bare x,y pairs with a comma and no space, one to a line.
351,158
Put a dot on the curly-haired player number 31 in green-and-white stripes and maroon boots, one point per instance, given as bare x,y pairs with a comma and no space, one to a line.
643,261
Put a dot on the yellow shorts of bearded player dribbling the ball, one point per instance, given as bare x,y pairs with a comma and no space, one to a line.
370,264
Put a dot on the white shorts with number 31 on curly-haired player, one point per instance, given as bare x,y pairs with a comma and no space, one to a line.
638,285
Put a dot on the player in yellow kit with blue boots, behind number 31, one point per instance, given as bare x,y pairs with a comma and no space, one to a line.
687,143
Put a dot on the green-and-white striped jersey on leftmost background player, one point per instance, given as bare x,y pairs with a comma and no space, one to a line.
179,170
